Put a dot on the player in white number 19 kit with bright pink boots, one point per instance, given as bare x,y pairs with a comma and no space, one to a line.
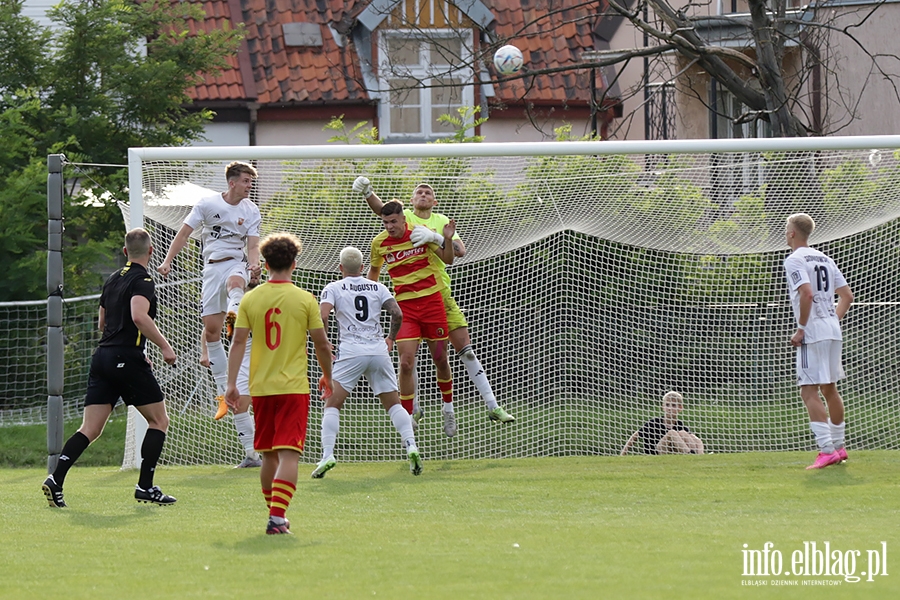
813,280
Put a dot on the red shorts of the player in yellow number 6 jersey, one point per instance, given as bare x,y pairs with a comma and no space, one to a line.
280,421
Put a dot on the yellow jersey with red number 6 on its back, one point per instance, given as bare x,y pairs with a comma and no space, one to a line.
279,314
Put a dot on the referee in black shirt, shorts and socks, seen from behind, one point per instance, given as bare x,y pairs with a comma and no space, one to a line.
119,368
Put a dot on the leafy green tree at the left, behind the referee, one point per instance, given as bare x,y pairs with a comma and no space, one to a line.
112,75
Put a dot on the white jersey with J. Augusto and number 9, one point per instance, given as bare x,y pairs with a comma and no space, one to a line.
357,305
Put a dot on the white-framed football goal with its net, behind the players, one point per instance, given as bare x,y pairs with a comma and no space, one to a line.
598,276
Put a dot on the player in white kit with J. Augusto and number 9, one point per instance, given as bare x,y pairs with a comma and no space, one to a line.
362,350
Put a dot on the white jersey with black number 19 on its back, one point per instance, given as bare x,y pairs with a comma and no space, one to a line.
807,265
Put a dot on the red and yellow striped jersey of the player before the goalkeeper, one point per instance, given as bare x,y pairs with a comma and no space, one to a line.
415,272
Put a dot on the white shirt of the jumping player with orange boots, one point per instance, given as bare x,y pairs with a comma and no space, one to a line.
223,227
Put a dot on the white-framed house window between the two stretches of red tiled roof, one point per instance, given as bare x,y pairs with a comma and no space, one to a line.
426,74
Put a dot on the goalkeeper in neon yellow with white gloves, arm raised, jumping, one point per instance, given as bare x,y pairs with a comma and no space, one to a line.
432,223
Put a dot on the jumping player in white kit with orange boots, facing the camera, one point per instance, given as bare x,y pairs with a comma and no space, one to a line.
229,225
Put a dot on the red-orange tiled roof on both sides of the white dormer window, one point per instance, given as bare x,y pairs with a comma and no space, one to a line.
274,74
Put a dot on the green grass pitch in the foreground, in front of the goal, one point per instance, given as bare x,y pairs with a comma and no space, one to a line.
563,527
